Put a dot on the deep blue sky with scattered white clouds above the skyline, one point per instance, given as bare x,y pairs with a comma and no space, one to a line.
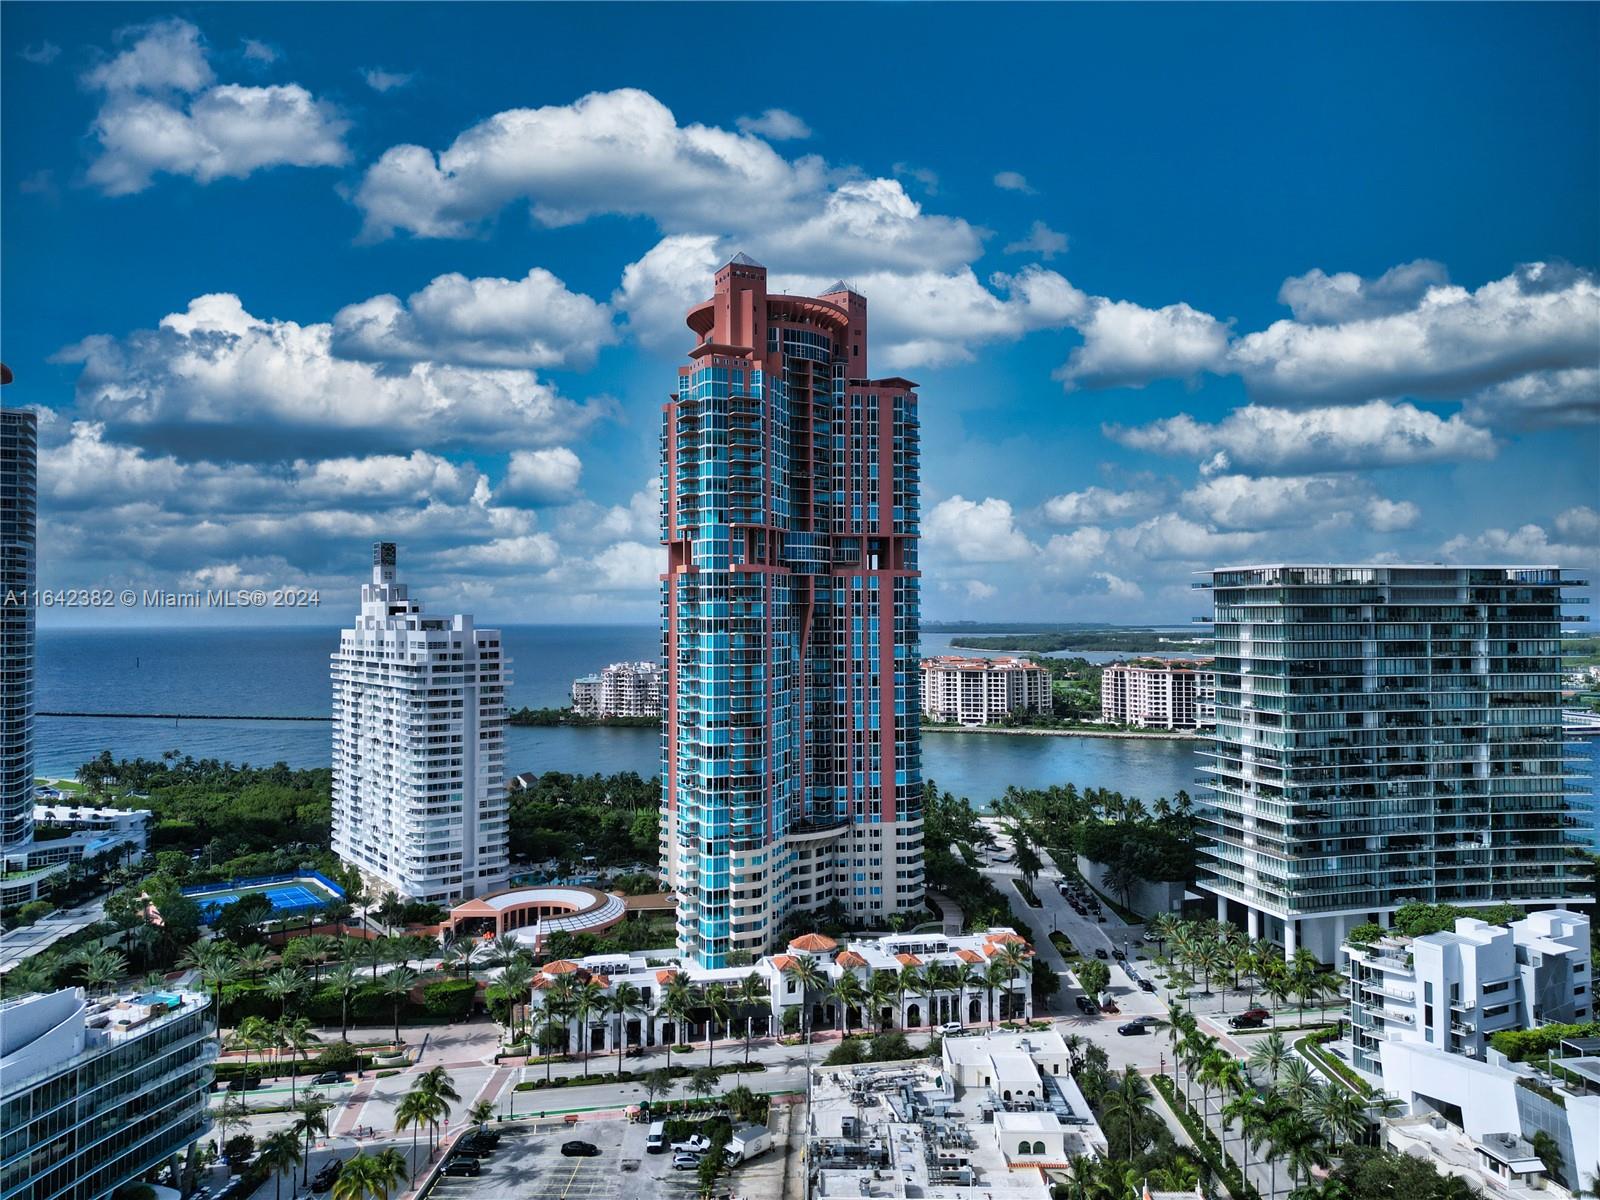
1182,286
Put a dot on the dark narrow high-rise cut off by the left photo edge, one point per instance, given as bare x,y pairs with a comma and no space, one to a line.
18,580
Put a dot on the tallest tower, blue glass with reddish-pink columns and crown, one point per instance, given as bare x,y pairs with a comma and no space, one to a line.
791,748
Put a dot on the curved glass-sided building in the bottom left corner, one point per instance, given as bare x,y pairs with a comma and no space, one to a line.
95,1094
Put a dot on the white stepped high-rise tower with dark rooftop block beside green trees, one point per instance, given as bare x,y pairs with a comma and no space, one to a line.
418,746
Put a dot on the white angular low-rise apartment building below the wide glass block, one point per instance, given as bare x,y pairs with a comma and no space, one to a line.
1458,988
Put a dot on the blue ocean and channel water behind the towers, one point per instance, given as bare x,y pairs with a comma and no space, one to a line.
284,673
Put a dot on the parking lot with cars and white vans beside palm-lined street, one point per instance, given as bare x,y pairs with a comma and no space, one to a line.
529,1166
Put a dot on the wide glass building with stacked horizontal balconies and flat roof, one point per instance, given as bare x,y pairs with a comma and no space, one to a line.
1386,735
